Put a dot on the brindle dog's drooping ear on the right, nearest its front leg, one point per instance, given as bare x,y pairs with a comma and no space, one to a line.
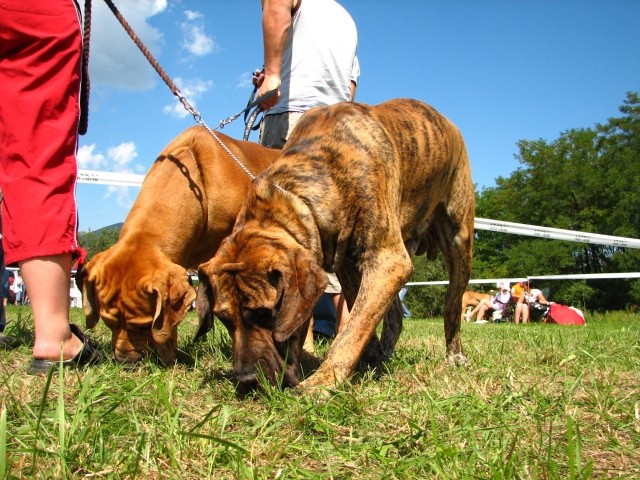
300,284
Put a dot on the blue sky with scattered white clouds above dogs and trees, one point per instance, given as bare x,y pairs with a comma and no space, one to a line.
502,70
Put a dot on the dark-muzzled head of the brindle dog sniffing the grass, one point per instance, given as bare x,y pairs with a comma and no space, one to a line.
262,287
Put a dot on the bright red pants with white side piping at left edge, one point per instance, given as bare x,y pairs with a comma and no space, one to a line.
40,71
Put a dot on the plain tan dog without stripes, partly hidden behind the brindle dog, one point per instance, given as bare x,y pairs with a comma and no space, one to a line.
187,204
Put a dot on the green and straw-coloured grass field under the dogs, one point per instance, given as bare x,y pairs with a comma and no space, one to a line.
538,401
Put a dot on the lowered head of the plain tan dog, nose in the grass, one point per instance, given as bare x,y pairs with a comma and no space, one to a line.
142,300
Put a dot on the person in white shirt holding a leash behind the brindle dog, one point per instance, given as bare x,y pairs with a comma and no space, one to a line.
310,59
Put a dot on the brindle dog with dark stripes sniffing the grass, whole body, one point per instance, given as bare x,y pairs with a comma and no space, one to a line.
358,190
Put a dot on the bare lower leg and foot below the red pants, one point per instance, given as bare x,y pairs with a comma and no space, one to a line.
47,281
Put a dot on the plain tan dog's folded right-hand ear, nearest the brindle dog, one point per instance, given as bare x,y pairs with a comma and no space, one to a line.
172,300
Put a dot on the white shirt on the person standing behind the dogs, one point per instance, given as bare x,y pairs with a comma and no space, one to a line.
319,65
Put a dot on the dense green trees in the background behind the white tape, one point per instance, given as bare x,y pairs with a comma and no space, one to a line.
586,180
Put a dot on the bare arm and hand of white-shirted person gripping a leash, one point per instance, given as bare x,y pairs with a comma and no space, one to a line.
276,23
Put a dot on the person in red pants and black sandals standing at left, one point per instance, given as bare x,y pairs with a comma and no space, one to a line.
40,74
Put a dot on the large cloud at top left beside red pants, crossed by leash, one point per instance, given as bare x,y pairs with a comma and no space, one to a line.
114,58
